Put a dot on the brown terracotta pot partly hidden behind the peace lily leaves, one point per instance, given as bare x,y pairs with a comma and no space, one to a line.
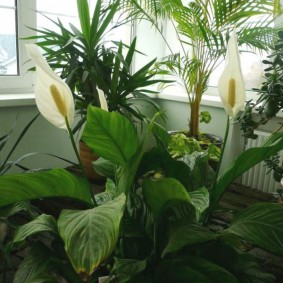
87,157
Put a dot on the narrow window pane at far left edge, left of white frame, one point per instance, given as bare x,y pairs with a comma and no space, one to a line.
8,46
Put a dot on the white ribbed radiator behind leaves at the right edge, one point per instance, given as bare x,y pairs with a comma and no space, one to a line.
257,177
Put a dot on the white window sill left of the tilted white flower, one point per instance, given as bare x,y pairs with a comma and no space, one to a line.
15,100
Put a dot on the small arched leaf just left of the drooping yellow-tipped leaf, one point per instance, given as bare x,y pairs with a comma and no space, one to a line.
43,223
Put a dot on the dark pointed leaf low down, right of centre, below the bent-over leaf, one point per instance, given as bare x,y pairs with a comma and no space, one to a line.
185,233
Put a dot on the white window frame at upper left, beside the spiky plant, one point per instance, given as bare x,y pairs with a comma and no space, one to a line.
22,83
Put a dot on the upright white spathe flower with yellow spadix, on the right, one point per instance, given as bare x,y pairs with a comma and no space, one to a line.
231,84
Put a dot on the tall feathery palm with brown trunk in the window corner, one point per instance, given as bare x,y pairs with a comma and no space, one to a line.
203,28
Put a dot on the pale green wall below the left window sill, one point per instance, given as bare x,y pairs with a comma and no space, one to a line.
42,137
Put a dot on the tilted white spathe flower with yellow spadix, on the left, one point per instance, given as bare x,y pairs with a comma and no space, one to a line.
53,96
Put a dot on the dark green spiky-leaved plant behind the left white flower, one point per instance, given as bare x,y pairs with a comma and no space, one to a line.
86,61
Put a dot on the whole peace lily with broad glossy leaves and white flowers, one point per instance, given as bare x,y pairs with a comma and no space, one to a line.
152,223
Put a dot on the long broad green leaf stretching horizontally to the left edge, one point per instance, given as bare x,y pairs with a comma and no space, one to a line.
53,183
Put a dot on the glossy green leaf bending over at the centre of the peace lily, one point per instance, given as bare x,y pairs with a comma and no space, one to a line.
163,193
